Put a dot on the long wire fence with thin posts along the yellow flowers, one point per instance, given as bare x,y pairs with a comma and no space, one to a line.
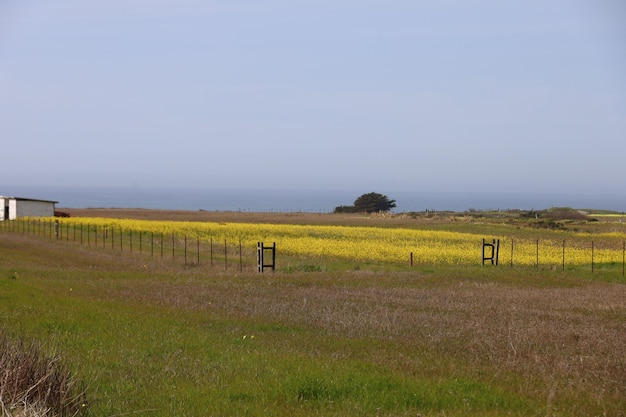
607,253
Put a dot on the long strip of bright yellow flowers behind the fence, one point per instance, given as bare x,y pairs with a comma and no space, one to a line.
371,244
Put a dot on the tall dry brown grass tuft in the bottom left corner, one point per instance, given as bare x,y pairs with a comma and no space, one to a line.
33,384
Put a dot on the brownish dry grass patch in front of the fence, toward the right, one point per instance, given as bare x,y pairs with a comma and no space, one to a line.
570,338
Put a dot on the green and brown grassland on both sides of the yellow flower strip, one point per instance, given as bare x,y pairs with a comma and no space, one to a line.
158,337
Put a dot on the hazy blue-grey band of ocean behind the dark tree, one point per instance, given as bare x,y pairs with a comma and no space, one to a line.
294,200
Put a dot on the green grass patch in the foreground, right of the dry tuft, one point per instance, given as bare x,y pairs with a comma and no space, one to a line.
173,363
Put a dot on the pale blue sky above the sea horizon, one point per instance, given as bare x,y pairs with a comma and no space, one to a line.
370,94
